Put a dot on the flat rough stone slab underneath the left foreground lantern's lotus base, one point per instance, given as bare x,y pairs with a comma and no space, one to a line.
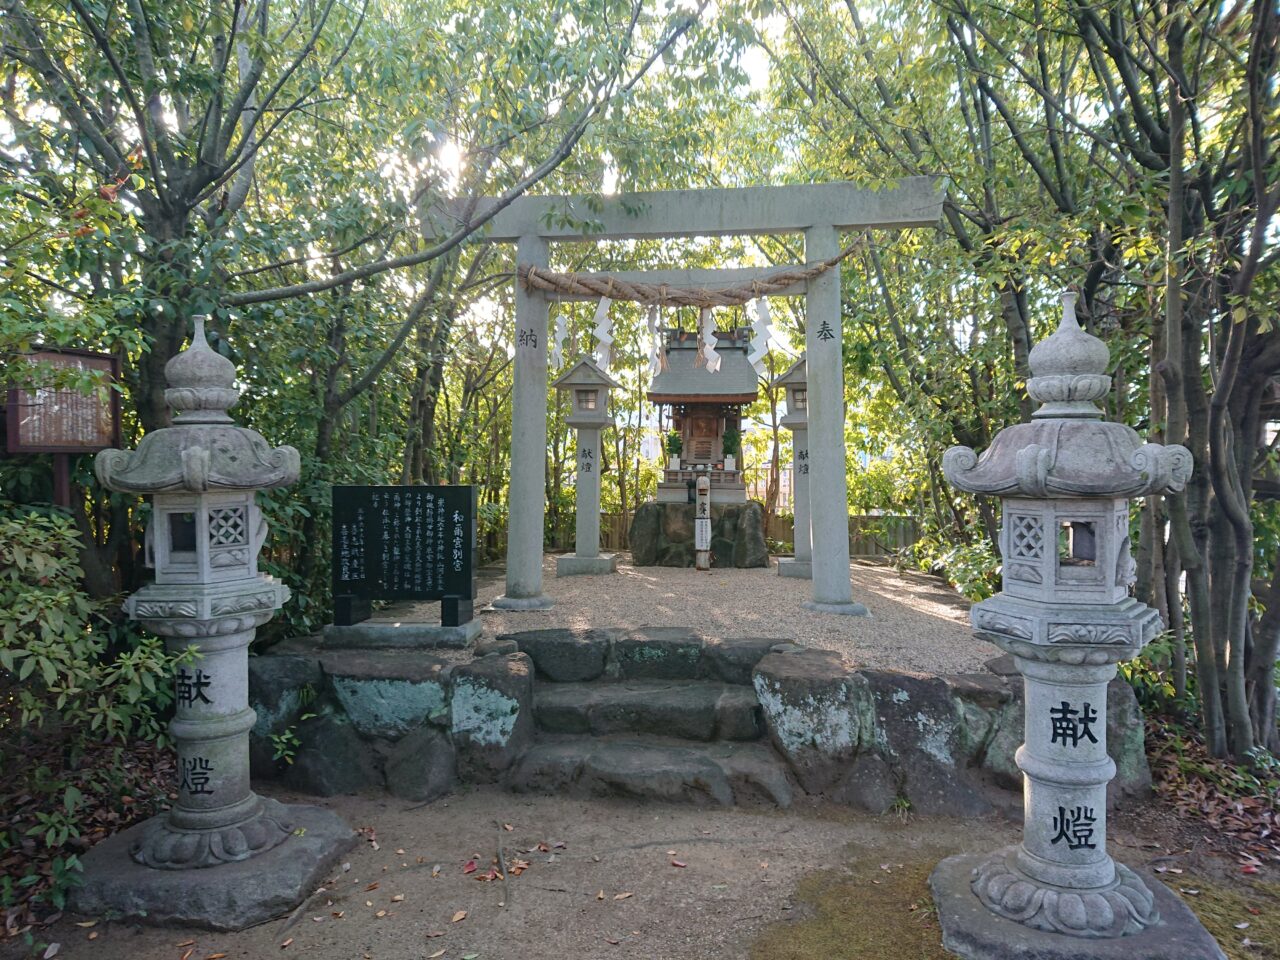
228,898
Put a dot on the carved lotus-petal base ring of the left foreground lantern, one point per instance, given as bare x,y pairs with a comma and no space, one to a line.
168,847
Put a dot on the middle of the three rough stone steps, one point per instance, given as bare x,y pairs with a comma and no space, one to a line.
689,710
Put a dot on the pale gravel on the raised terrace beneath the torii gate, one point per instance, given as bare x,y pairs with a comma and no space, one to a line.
918,624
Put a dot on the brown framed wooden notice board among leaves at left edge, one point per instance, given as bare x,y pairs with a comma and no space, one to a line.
66,420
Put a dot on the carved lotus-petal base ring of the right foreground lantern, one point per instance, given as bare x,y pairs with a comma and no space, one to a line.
1118,909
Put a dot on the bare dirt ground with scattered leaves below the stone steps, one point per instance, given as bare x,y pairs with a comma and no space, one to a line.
740,881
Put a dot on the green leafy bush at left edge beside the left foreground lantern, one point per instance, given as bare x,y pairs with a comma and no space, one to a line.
75,691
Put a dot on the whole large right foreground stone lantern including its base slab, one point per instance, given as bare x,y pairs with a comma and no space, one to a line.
1066,615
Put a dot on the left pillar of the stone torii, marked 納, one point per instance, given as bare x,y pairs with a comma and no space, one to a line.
528,488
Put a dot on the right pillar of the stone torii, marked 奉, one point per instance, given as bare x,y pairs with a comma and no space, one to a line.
829,510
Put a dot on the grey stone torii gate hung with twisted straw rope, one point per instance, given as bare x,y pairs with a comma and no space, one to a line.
821,212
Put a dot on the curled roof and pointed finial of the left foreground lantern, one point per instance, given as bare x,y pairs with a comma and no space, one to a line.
203,450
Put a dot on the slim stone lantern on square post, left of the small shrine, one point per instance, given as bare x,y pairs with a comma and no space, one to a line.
588,388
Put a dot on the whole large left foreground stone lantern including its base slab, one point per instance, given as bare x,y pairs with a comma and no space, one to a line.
203,541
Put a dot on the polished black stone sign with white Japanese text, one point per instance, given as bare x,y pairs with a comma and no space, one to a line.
404,543
